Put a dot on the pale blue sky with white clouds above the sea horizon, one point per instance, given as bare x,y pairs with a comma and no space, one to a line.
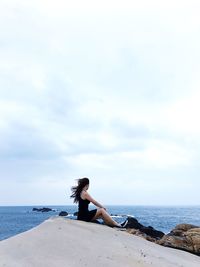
108,90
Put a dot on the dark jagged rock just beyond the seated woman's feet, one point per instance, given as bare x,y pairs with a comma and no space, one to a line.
148,233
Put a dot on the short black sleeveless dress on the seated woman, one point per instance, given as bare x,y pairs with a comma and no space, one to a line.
83,213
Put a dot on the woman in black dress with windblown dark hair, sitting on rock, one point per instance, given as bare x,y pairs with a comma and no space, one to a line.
82,197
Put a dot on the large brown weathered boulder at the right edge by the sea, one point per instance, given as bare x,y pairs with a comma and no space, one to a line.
185,237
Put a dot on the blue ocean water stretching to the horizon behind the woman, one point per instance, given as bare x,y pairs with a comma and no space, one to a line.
15,220
